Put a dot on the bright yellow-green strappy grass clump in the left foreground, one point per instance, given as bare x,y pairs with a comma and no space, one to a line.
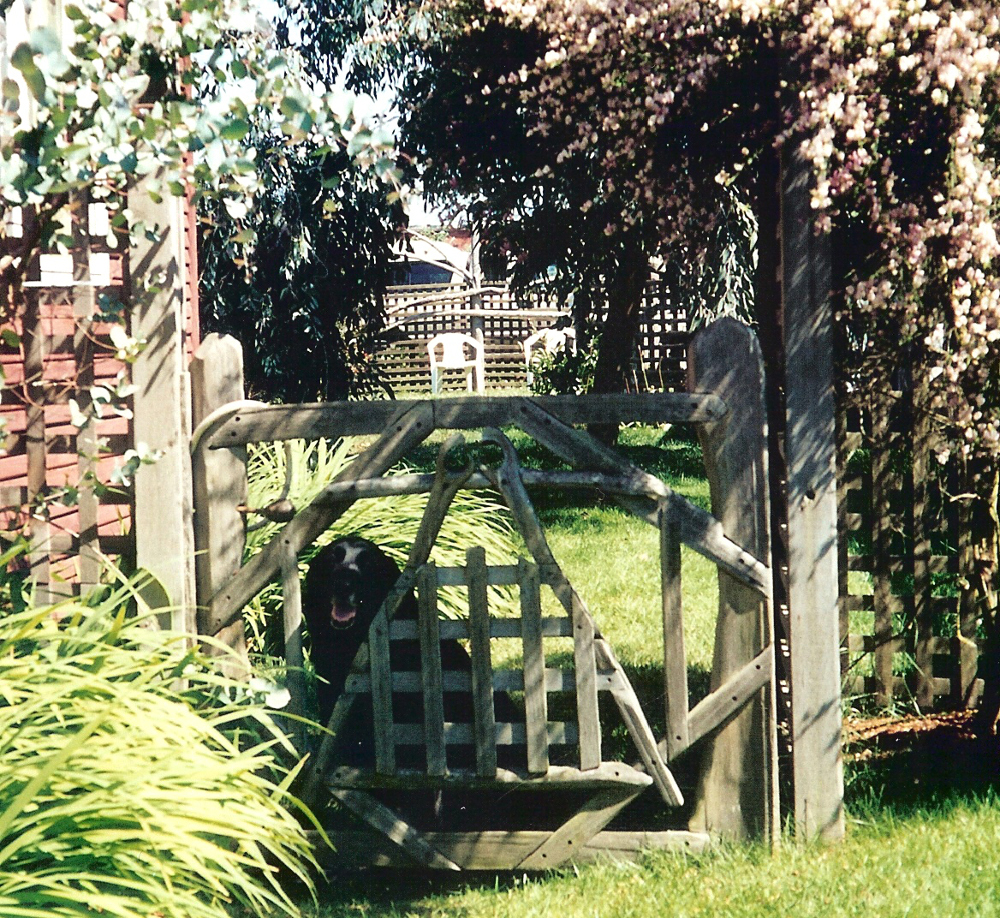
133,780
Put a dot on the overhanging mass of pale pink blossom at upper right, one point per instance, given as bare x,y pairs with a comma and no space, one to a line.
892,102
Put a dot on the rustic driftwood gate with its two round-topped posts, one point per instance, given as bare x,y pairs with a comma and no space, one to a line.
734,724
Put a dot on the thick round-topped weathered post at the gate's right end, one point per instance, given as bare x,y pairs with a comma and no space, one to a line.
738,793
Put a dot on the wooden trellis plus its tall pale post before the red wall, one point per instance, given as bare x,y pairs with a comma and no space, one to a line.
64,351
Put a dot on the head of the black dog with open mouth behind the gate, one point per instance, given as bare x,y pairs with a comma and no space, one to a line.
347,583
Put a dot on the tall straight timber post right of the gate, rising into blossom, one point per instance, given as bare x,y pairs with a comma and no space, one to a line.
810,454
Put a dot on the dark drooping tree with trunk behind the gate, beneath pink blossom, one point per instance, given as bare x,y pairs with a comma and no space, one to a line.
556,218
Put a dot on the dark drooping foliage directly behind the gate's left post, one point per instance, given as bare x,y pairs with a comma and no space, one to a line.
305,300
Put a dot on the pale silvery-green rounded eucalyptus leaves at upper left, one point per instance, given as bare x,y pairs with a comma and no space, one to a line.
161,101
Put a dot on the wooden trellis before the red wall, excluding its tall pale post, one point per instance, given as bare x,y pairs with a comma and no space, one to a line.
62,352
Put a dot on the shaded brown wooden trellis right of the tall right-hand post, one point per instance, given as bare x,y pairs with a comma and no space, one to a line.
909,631
